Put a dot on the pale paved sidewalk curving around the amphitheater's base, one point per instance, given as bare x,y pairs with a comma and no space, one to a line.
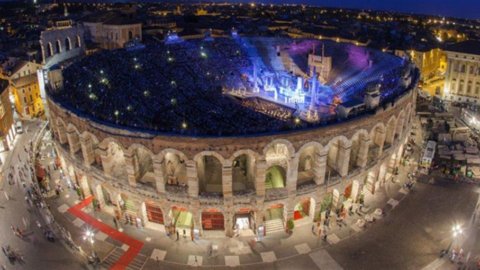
159,249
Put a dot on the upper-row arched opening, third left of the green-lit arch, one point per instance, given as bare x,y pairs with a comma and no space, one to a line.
175,172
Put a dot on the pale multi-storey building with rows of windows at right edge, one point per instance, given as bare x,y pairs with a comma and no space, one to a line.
462,78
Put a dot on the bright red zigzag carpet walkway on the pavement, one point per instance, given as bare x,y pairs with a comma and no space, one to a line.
134,245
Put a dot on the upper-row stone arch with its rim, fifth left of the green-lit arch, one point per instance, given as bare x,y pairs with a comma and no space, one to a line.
113,158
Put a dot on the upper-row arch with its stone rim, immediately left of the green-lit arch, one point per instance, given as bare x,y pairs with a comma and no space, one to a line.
243,170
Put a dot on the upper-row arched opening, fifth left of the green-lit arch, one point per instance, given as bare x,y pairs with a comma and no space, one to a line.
114,162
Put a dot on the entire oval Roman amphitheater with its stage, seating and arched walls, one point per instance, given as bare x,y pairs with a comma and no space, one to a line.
245,157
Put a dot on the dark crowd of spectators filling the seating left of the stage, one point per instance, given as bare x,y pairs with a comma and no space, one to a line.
174,88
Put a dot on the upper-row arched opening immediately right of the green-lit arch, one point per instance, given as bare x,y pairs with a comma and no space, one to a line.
307,162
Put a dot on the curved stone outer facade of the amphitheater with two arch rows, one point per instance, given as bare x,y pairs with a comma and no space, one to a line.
126,170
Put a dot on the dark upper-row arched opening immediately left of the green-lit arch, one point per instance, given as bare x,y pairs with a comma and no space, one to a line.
243,174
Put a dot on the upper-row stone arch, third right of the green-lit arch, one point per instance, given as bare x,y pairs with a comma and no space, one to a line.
359,151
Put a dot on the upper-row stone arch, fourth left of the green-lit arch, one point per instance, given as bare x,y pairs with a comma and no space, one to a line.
141,163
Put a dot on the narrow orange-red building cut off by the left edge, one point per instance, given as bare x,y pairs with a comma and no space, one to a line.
7,127
